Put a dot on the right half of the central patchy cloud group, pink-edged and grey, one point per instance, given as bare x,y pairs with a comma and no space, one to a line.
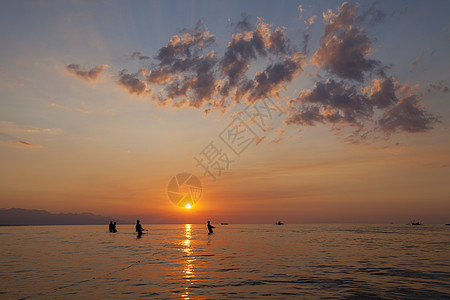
245,48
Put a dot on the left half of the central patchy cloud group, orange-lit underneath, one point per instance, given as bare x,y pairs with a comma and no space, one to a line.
184,70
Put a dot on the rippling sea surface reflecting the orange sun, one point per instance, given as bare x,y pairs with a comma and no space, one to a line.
236,262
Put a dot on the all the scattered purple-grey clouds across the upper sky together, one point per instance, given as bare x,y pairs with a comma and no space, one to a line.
351,88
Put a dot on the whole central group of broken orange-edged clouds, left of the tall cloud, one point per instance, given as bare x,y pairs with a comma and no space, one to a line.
188,72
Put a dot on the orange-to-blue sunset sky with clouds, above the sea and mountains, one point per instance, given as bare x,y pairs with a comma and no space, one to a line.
103,102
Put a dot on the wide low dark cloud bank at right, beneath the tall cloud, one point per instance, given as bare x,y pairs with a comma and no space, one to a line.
343,105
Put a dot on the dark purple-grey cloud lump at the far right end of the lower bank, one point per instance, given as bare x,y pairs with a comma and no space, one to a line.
407,115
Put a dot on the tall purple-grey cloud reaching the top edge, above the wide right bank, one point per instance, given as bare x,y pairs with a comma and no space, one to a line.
344,47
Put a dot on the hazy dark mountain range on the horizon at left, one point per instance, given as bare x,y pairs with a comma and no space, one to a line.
20,216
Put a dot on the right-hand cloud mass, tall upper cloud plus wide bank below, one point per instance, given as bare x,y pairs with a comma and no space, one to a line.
343,99
